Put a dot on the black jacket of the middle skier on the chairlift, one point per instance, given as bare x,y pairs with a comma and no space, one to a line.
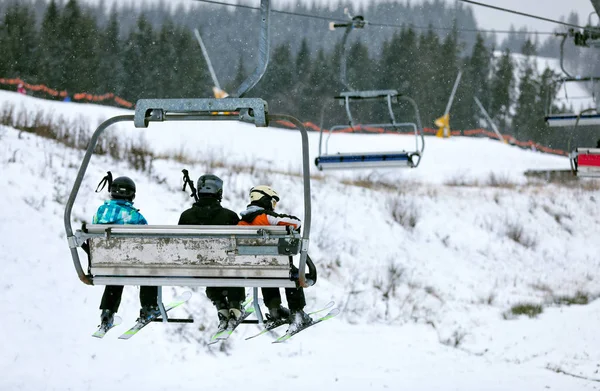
208,211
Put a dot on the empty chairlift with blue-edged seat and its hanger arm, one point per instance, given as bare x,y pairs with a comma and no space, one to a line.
352,160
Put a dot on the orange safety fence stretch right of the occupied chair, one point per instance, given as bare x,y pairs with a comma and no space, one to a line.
464,133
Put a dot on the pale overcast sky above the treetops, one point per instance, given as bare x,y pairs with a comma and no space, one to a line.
486,18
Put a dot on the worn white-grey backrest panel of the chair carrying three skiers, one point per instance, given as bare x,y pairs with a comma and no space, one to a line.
191,255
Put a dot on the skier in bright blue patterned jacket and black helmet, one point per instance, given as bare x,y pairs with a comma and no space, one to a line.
119,210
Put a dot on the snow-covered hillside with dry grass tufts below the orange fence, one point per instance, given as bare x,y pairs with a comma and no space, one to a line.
424,268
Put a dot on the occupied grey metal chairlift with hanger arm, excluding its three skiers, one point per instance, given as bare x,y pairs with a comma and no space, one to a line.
165,255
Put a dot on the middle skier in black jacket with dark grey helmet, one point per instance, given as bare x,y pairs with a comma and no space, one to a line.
208,211
